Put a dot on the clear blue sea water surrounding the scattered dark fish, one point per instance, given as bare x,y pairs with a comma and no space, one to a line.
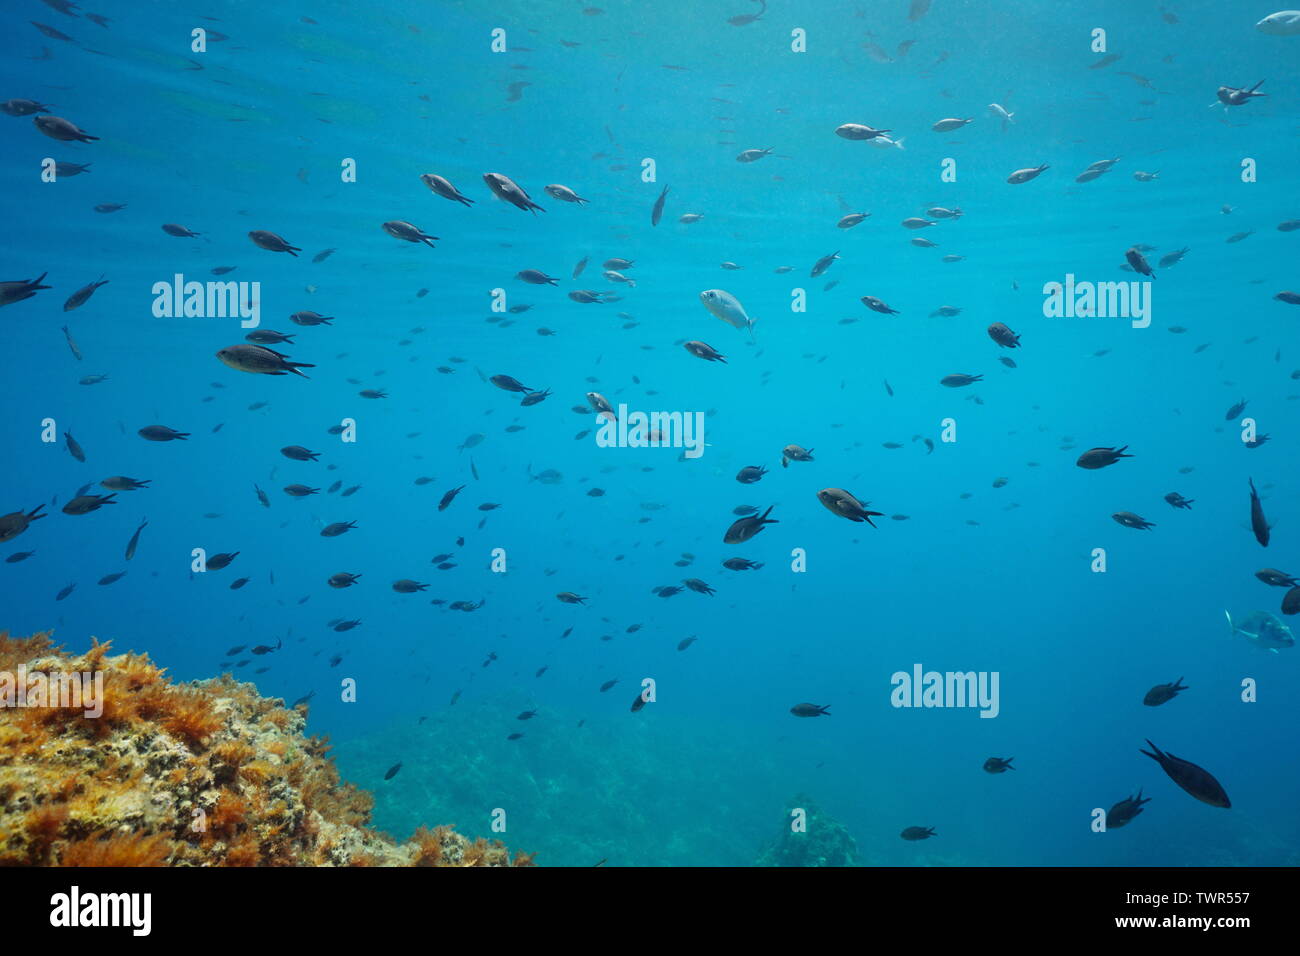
976,579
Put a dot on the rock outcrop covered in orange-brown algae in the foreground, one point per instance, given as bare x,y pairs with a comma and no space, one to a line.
201,775
